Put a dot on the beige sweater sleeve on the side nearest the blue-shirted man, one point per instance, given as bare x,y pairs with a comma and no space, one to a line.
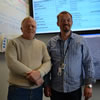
46,62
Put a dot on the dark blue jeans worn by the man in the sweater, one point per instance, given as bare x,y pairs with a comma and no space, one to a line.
18,93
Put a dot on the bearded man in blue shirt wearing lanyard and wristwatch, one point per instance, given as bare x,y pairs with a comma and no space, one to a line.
72,64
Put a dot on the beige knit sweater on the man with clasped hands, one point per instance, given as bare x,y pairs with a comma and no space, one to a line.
23,56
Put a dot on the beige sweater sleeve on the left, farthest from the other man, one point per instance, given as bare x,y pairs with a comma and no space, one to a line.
13,63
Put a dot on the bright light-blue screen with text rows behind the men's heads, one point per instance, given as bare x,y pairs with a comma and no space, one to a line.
86,14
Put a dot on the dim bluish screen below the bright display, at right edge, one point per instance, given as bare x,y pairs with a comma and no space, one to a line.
93,41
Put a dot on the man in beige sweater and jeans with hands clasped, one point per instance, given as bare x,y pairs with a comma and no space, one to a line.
28,62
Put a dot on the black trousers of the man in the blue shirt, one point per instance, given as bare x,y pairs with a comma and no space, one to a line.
75,95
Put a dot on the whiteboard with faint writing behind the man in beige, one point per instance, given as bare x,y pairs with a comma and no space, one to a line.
12,12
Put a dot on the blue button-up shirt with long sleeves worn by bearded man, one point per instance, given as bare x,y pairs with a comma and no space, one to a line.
78,65
